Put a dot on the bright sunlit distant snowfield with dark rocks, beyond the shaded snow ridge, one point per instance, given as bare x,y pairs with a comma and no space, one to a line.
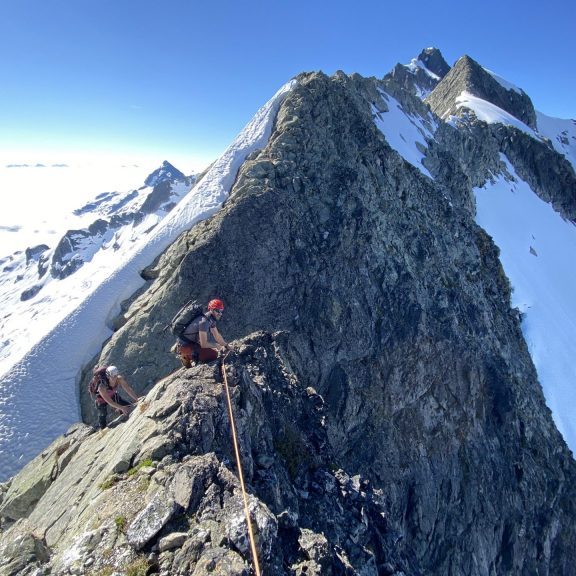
24,322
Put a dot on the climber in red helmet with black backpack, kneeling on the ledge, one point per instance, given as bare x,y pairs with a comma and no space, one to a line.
201,341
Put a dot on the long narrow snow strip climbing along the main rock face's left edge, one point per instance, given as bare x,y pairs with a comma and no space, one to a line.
38,395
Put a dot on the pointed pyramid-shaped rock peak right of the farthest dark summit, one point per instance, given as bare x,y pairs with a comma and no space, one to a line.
468,75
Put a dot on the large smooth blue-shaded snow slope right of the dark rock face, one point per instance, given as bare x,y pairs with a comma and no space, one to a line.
538,253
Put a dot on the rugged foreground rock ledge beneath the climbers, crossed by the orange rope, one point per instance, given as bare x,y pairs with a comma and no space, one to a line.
160,493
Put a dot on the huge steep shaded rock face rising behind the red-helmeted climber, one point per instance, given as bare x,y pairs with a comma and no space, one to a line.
397,311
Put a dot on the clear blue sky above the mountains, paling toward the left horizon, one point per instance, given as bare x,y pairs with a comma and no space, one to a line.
179,79
